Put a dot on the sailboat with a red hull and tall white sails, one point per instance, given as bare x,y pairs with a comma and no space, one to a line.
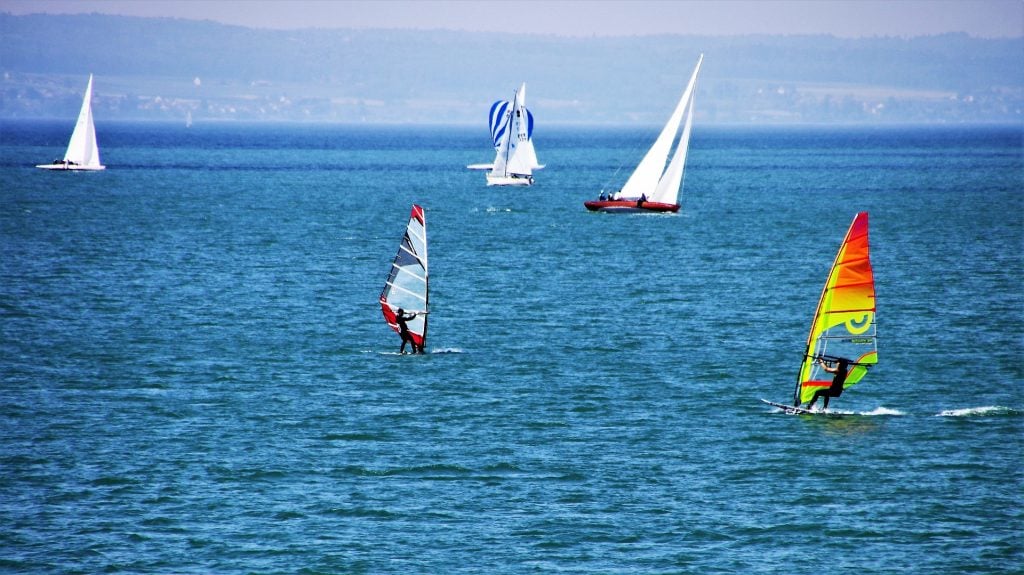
653,187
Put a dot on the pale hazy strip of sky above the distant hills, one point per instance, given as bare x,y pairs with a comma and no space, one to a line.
846,19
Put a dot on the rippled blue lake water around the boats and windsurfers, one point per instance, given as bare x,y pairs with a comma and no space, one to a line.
195,377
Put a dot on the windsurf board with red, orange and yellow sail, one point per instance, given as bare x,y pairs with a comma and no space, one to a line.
843,327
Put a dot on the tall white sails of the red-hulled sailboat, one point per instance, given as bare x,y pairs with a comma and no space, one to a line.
652,179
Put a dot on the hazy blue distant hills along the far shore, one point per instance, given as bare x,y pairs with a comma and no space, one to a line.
165,68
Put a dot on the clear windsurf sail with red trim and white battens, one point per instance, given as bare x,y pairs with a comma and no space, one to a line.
408,285
